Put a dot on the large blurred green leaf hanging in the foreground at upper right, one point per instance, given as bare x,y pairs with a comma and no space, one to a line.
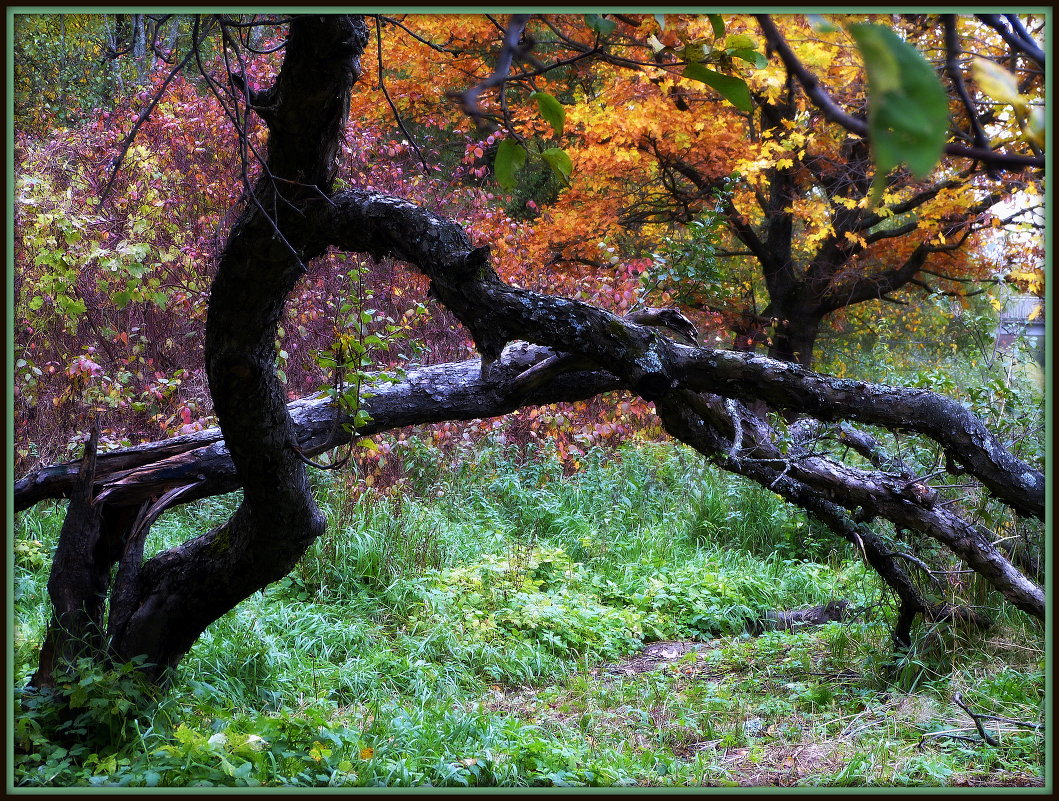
908,114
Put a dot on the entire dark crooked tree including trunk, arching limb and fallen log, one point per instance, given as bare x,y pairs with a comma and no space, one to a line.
161,606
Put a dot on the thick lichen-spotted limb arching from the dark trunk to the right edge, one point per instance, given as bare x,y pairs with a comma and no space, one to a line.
650,364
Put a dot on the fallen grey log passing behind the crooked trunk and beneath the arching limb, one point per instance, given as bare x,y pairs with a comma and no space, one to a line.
199,466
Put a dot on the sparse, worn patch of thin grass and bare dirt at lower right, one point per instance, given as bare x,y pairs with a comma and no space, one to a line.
759,711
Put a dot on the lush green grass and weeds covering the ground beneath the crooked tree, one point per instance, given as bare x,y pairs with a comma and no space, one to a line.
478,629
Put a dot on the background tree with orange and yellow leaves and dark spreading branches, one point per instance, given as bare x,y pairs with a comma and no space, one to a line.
785,182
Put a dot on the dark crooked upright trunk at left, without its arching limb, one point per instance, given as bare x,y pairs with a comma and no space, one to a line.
160,608
